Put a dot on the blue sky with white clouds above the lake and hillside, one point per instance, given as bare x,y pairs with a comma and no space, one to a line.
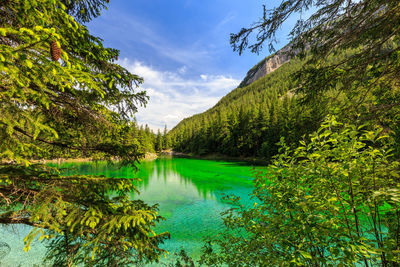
181,49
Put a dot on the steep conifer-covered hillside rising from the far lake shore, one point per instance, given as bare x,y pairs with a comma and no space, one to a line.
250,120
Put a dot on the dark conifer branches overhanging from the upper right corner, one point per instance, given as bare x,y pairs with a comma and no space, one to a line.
363,39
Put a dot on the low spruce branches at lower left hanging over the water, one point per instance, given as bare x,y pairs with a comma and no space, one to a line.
89,220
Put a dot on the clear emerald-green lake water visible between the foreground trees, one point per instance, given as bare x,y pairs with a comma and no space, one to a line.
189,193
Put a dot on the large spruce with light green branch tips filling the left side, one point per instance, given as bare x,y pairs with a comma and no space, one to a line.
79,106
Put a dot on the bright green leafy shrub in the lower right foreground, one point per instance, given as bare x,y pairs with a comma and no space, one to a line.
332,201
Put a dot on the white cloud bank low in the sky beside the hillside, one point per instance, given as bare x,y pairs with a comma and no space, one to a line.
173,97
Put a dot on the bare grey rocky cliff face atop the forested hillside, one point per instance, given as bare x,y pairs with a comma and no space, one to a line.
267,65
